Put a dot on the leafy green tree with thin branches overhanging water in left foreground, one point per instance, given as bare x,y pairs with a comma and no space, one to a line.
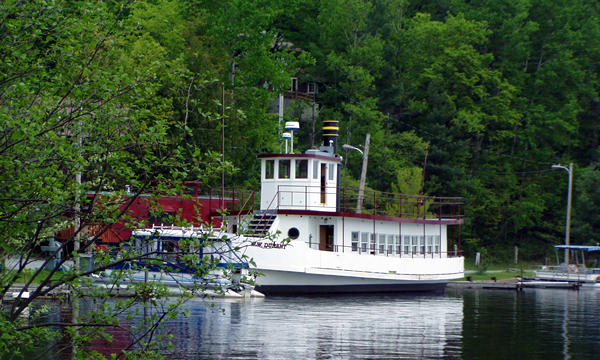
81,97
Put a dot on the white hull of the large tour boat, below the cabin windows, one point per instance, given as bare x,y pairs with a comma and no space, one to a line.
299,269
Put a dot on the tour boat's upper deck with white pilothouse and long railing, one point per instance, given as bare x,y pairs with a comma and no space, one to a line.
308,184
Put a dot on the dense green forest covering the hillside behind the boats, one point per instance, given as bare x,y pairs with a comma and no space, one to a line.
490,92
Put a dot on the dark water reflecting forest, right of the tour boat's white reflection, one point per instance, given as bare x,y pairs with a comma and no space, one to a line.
534,324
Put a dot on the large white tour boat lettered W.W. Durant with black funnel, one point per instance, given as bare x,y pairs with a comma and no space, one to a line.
308,236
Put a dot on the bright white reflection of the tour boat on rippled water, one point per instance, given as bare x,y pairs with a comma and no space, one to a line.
321,328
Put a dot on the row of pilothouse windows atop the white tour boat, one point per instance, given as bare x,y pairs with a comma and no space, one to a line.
300,168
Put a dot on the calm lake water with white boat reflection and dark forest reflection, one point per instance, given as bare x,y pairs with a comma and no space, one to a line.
462,324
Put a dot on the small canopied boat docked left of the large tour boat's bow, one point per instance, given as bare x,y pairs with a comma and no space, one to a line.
166,248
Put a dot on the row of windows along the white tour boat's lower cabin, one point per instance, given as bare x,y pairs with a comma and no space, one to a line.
392,244
